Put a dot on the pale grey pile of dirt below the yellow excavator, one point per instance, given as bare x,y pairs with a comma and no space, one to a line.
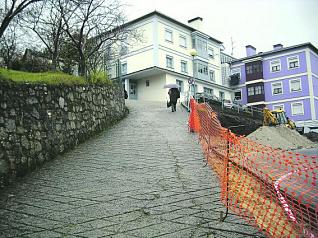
281,137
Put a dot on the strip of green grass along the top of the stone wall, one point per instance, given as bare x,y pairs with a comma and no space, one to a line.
53,78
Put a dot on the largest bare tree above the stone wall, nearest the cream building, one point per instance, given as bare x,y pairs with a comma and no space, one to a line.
92,24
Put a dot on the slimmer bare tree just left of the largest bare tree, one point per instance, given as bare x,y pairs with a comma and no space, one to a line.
47,23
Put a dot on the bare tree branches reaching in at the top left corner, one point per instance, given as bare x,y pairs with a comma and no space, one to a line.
11,9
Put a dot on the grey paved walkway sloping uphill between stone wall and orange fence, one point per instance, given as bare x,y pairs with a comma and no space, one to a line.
143,177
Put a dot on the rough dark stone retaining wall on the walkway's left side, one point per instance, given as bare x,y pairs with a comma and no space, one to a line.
38,122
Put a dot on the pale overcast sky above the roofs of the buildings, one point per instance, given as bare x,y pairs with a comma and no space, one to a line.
261,23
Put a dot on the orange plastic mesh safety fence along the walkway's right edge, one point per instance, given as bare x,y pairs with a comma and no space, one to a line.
273,189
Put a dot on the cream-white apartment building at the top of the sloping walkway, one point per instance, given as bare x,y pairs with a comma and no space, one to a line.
164,57
